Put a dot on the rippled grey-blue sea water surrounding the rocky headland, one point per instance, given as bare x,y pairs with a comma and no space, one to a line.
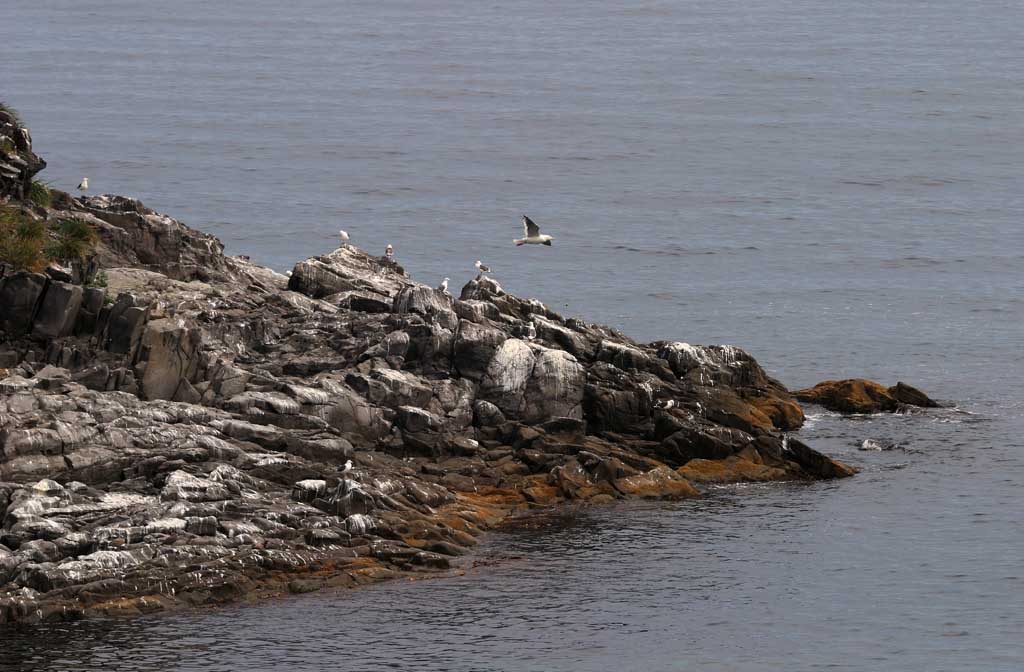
836,188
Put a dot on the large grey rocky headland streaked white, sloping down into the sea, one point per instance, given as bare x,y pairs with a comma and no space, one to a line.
177,437
